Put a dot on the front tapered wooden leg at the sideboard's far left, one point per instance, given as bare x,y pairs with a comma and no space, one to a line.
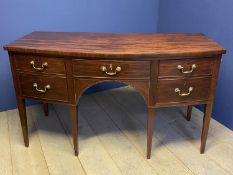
23,119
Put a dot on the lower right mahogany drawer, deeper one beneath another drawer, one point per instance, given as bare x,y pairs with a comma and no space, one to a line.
182,90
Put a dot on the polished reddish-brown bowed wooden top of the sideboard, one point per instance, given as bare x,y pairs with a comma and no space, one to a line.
116,45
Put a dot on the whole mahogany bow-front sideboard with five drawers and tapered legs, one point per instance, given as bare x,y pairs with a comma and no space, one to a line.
166,69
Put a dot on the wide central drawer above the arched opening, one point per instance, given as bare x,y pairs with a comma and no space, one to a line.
111,69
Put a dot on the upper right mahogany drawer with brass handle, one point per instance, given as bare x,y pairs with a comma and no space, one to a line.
180,68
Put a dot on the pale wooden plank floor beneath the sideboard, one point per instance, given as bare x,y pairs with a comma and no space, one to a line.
112,140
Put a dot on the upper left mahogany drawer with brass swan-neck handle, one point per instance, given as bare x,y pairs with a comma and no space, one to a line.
40,64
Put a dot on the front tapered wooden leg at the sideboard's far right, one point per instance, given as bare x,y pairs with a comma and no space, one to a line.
205,126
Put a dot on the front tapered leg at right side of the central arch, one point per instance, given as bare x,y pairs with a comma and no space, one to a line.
150,129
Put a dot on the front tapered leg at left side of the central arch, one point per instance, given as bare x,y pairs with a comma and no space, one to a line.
74,127
